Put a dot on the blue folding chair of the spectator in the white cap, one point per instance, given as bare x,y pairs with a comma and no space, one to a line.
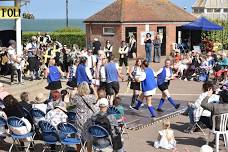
98,133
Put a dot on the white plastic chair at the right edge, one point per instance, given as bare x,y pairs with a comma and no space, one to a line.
222,129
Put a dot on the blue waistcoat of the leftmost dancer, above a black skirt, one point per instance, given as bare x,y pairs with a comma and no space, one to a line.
54,74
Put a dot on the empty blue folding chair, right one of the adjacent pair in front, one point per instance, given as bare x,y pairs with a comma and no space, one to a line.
66,131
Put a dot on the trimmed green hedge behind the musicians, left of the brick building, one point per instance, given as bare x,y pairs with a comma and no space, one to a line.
66,38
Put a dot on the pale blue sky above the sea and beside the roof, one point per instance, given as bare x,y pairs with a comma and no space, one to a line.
77,8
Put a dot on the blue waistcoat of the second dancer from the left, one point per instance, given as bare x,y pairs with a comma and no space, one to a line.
81,74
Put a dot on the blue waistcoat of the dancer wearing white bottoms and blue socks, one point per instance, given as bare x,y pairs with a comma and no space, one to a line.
150,82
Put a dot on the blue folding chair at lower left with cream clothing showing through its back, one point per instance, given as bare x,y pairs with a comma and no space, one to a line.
15,122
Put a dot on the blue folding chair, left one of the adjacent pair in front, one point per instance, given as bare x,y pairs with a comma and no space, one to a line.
49,134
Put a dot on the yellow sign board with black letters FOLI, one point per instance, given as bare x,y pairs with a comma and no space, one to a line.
7,12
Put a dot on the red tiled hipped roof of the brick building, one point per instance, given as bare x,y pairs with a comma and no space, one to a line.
141,11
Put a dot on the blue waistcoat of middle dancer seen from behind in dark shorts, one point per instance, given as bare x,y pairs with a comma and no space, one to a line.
111,72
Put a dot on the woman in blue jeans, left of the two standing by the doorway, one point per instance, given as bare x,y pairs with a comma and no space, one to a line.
148,47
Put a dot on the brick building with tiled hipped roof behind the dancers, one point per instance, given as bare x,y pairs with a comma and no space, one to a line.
124,17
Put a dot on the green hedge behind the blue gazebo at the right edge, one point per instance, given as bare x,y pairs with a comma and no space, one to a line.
219,36
